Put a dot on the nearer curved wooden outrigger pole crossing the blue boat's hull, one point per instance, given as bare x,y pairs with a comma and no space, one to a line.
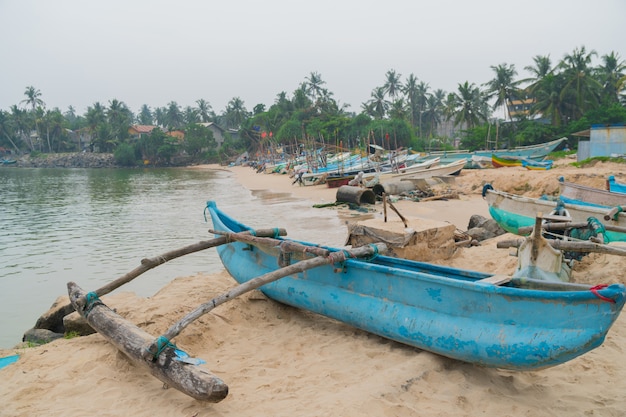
331,258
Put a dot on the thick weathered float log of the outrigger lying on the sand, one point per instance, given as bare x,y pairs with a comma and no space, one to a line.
189,379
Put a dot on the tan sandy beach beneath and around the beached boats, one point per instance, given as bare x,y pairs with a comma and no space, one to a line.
279,361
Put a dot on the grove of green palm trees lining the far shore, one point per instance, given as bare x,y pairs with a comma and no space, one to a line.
557,99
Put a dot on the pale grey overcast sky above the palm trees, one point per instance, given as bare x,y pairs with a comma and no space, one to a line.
78,52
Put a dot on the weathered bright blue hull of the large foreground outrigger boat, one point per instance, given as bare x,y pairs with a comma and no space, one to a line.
516,323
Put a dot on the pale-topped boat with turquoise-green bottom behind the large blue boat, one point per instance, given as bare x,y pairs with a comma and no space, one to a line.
513,212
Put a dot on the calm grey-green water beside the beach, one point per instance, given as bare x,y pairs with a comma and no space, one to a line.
93,225
